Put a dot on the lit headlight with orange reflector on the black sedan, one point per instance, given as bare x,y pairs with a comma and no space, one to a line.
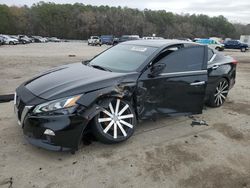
64,105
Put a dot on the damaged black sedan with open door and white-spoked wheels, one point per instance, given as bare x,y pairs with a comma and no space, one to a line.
107,95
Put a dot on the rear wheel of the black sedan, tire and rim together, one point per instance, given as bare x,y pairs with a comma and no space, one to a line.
219,94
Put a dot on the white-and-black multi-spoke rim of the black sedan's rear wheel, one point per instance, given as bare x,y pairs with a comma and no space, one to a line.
221,93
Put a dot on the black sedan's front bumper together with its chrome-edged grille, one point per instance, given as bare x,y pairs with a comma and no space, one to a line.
68,129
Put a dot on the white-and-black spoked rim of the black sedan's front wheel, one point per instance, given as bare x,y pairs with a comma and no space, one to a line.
117,120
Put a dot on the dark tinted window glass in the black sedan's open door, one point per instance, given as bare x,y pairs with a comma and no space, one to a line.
184,59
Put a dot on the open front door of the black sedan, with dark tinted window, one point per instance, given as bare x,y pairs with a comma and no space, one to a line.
179,89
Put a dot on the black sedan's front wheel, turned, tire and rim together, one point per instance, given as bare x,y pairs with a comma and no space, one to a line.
110,128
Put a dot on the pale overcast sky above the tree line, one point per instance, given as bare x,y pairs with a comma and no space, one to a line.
234,10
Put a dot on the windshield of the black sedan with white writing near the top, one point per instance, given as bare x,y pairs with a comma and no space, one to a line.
123,58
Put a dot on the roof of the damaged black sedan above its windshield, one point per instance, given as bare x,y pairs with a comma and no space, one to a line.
158,43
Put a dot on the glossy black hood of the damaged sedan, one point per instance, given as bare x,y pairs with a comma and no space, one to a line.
71,80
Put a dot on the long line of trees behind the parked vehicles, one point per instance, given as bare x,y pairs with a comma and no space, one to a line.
79,21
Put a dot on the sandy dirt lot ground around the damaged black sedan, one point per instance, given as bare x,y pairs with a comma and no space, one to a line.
166,153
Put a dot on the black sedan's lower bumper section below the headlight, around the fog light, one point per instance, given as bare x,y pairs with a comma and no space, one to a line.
68,131
